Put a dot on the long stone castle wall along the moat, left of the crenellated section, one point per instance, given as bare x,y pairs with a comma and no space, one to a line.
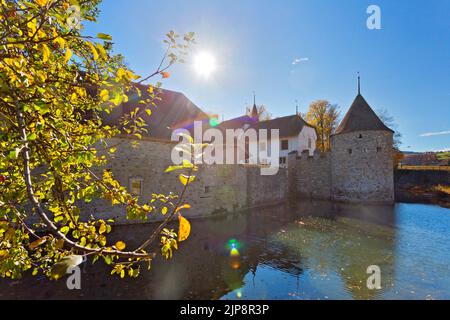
217,189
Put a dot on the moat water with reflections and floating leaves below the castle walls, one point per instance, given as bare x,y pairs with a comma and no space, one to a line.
314,250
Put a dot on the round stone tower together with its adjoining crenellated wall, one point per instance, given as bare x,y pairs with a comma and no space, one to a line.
359,167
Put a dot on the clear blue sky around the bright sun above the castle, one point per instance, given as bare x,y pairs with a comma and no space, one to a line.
405,66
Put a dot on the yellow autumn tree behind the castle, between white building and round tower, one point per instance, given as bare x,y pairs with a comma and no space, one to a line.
324,116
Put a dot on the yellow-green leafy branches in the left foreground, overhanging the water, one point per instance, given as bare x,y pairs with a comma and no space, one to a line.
56,83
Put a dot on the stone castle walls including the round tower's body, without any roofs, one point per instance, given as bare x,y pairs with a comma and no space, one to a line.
359,169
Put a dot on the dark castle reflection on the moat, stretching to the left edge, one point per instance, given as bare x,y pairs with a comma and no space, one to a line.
328,240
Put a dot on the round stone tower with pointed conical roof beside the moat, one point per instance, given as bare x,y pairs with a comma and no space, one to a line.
362,157
